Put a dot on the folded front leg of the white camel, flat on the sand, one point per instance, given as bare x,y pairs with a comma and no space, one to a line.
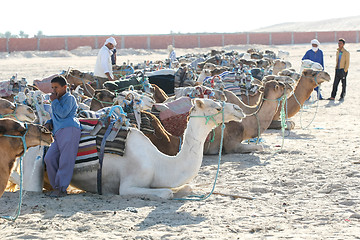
165,193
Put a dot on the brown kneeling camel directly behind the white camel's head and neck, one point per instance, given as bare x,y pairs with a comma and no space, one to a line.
236,132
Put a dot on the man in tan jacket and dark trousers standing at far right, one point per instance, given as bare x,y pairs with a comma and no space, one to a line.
341,70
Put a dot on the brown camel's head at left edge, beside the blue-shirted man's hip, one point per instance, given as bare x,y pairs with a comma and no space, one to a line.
34,134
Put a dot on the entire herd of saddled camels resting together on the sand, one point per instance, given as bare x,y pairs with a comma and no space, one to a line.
244,91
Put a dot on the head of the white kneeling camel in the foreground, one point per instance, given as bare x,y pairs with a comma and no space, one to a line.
208,107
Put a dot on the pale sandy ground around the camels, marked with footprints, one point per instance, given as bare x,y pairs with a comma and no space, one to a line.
310,190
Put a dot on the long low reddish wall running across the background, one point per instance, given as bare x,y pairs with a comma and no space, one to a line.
177,40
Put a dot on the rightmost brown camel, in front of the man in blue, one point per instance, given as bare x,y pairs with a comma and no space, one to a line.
308,81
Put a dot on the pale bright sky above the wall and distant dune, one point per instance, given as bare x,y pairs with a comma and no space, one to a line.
137,17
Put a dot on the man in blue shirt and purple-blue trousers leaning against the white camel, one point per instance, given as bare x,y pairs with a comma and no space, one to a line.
60,158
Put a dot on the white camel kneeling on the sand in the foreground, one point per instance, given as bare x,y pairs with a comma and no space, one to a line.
150,172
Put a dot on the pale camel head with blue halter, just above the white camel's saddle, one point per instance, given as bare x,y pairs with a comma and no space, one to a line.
143,101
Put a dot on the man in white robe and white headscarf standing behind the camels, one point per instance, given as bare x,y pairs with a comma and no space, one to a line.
103,67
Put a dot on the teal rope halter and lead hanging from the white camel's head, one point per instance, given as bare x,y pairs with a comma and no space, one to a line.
203,197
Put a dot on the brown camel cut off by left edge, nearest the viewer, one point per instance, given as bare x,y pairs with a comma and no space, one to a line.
11,148
